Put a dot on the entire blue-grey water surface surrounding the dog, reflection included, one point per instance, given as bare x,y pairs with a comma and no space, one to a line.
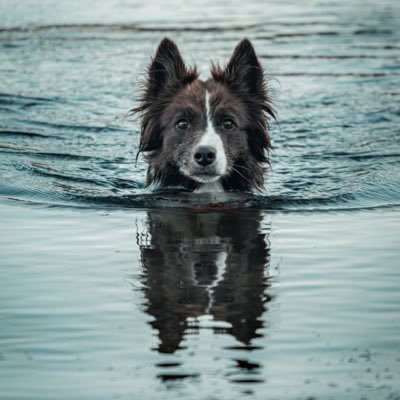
109,291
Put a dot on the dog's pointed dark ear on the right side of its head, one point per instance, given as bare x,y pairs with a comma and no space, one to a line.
244,66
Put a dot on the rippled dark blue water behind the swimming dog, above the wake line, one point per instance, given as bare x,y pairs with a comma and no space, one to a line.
66,89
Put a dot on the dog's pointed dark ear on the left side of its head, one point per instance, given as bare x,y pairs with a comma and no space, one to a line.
166,67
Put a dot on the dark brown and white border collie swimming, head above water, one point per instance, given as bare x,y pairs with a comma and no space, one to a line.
205,136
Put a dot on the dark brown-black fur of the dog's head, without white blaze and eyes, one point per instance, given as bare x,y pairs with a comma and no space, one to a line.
171,86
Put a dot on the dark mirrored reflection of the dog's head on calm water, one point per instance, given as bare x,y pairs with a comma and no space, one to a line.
204,263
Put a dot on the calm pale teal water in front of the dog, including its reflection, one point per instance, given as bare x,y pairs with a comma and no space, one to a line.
171,303
